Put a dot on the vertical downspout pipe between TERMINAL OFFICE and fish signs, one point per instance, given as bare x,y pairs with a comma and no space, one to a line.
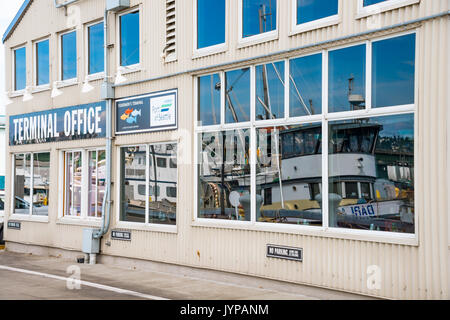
109,96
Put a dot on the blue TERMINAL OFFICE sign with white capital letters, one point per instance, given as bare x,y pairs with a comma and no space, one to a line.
70,123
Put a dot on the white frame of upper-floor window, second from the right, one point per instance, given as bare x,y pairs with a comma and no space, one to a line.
315,24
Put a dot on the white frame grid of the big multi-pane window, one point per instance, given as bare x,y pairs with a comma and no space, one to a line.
324,118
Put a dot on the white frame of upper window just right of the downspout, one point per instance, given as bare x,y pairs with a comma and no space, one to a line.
137,66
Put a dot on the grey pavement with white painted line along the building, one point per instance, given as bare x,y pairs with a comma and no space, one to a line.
25,276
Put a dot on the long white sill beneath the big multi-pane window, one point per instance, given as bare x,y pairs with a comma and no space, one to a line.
338,233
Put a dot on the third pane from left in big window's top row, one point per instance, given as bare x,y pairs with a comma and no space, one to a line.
270,91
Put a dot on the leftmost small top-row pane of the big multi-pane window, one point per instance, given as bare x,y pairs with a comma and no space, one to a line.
209,100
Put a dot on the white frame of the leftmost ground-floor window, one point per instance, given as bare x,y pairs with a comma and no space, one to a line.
29,216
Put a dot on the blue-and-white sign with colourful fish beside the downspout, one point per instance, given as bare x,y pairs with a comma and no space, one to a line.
151,112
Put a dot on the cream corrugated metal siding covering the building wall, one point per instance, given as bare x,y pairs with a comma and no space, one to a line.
408,272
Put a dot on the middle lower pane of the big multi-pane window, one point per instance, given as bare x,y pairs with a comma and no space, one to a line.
290,175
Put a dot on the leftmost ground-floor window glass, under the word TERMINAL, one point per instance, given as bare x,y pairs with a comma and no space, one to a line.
31,183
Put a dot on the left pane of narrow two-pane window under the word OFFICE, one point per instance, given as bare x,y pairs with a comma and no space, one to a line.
73,178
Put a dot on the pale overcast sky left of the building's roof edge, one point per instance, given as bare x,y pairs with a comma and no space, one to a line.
8,10
